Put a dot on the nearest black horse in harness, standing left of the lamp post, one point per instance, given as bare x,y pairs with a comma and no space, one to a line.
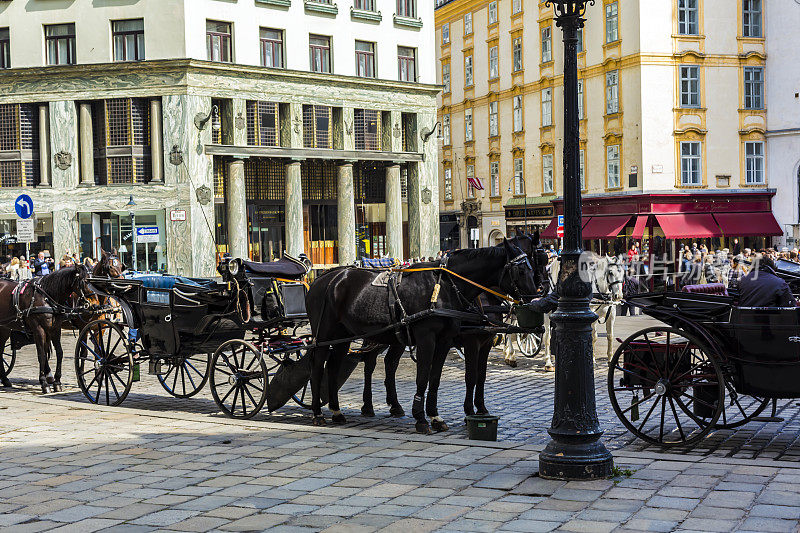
344,303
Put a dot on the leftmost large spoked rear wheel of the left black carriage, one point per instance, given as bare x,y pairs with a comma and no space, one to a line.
104,363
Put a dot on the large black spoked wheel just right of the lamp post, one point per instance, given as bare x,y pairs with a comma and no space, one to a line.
666,387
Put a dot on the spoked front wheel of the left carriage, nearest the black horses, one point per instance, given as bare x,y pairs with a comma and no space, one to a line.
238,379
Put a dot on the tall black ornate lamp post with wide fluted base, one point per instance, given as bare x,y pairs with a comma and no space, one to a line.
575,451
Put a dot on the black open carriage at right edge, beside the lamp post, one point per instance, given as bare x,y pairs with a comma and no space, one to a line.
714,365
